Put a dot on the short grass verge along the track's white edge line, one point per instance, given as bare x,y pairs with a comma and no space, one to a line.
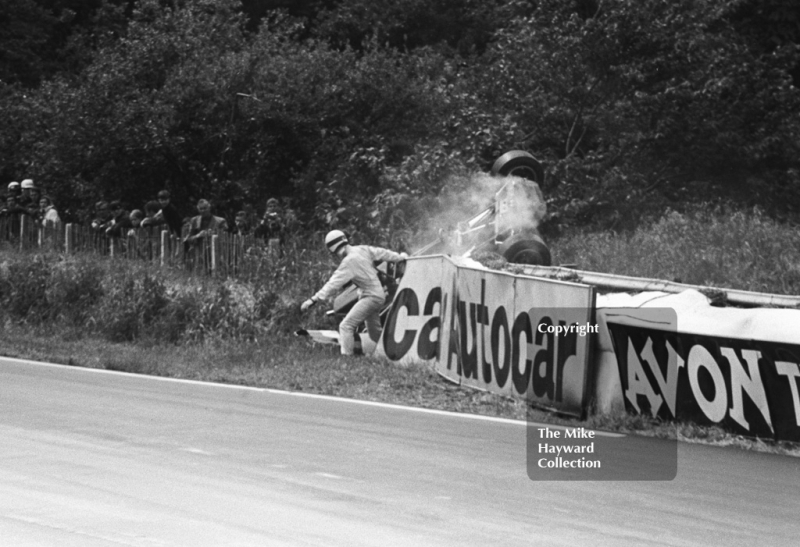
293,364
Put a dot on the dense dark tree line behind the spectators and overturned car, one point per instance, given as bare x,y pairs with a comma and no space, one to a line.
363,111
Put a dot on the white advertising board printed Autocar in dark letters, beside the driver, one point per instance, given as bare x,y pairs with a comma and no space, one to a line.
508,334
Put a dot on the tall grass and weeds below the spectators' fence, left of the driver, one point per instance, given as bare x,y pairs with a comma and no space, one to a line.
127,300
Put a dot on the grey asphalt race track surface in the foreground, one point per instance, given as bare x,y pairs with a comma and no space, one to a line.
94,458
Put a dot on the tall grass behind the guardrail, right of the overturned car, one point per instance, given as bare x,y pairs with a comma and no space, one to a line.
738,250
